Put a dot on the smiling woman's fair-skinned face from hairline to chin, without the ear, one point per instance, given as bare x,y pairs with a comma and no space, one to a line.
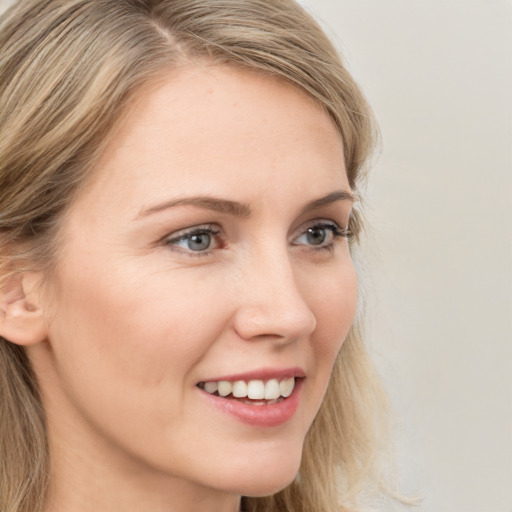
209,246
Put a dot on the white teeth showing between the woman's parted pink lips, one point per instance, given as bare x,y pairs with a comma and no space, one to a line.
253,392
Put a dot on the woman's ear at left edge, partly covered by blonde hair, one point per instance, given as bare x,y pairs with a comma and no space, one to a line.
21,315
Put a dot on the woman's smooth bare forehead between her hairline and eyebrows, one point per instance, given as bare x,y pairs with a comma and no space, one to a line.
218,128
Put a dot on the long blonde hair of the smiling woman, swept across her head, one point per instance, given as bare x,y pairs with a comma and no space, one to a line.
68,70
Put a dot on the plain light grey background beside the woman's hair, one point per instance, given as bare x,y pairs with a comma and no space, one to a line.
439,76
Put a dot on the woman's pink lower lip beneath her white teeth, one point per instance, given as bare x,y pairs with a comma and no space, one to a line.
271,415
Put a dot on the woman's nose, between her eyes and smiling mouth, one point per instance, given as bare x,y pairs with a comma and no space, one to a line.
271,304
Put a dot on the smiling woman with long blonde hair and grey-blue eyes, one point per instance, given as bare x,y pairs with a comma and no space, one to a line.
177,224
